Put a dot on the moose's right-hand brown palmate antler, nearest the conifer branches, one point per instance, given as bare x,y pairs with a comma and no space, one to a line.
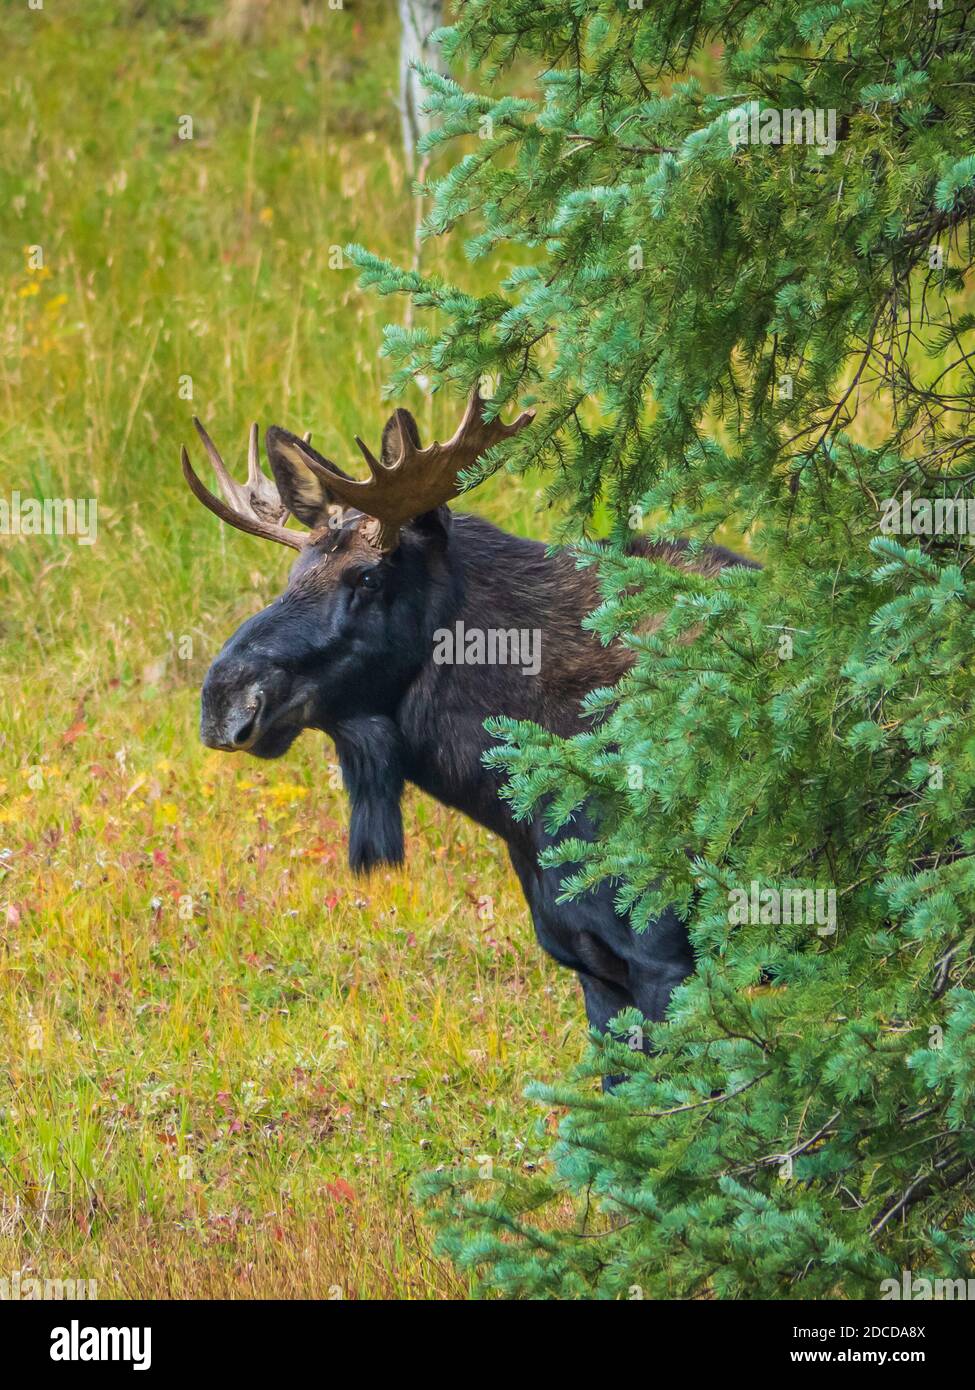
419,480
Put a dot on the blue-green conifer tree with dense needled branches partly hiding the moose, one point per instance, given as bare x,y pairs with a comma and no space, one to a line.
741,248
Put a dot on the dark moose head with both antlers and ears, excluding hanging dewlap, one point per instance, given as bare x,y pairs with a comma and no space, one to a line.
357,619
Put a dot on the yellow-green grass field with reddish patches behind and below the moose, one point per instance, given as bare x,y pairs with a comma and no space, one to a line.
223,1058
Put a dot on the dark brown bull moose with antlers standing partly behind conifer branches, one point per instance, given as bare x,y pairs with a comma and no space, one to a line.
403,629
